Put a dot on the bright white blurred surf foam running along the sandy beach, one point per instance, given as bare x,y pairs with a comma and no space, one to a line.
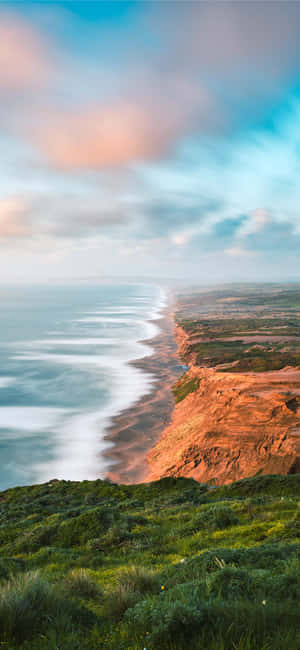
79,438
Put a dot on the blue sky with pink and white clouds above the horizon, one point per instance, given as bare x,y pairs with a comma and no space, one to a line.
149,140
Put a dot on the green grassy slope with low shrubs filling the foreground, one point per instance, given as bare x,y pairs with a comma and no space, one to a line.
171,564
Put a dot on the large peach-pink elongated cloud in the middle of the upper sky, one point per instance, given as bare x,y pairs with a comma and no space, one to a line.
111,136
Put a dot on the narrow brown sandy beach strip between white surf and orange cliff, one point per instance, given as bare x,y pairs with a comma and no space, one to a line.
136,430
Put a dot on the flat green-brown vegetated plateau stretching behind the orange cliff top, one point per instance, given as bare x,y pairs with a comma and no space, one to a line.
244,330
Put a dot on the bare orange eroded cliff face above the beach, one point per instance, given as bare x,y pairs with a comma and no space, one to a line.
232,426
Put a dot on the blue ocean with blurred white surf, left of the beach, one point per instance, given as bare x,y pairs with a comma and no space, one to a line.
65,373
